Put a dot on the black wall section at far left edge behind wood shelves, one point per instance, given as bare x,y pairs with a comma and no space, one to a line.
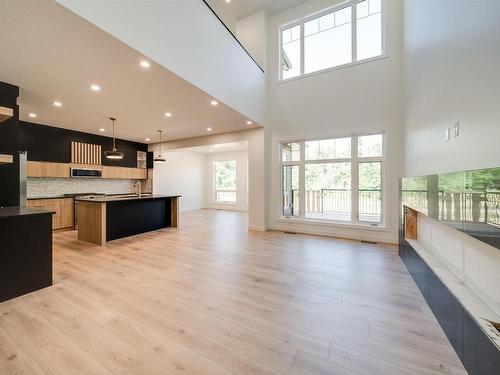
9,144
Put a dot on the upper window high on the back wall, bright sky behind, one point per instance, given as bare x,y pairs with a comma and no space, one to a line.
345,34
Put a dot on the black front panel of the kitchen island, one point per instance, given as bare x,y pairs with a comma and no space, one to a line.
125,219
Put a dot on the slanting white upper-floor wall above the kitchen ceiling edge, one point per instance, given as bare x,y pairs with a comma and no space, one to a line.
185,37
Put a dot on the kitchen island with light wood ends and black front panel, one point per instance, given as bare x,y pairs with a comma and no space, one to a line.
108,218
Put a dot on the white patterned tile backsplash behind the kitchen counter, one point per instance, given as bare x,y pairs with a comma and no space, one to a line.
48,187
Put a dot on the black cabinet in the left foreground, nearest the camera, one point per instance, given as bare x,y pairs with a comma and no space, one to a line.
25,254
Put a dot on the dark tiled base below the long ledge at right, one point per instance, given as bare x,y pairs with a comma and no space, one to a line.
479,355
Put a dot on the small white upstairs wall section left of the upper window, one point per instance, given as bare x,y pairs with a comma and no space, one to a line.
251,32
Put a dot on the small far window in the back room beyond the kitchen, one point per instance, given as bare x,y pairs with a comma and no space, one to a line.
224,177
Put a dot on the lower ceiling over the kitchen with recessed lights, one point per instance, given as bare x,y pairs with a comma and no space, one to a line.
53,54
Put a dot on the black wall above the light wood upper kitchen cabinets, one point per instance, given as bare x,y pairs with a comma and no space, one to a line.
48,143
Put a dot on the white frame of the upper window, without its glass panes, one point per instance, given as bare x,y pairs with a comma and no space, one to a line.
354,60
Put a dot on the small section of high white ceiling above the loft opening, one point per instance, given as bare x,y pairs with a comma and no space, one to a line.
243,8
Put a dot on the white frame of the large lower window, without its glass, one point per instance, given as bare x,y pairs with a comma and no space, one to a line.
355,160
